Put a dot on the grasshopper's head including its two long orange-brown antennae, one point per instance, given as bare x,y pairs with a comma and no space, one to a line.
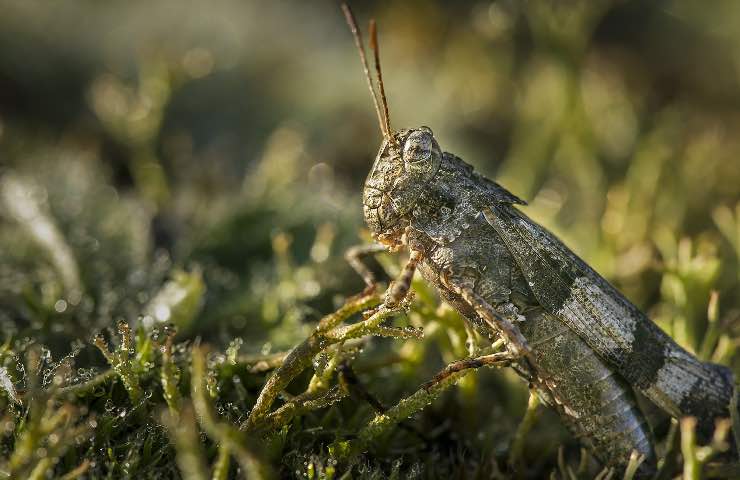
406,162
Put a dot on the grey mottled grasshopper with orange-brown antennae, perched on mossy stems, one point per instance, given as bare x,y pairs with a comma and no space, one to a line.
582,346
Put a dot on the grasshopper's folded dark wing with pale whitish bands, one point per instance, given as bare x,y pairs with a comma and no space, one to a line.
614,328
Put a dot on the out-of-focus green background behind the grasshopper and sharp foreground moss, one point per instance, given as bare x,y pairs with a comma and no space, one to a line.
202,164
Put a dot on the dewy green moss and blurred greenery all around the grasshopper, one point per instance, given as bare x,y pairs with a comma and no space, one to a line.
178,185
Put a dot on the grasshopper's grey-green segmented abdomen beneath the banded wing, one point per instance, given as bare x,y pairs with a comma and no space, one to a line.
595,403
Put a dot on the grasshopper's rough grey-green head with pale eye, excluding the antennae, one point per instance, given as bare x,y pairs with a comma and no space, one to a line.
405,164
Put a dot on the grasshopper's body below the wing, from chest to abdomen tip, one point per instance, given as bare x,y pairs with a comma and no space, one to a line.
594,401
